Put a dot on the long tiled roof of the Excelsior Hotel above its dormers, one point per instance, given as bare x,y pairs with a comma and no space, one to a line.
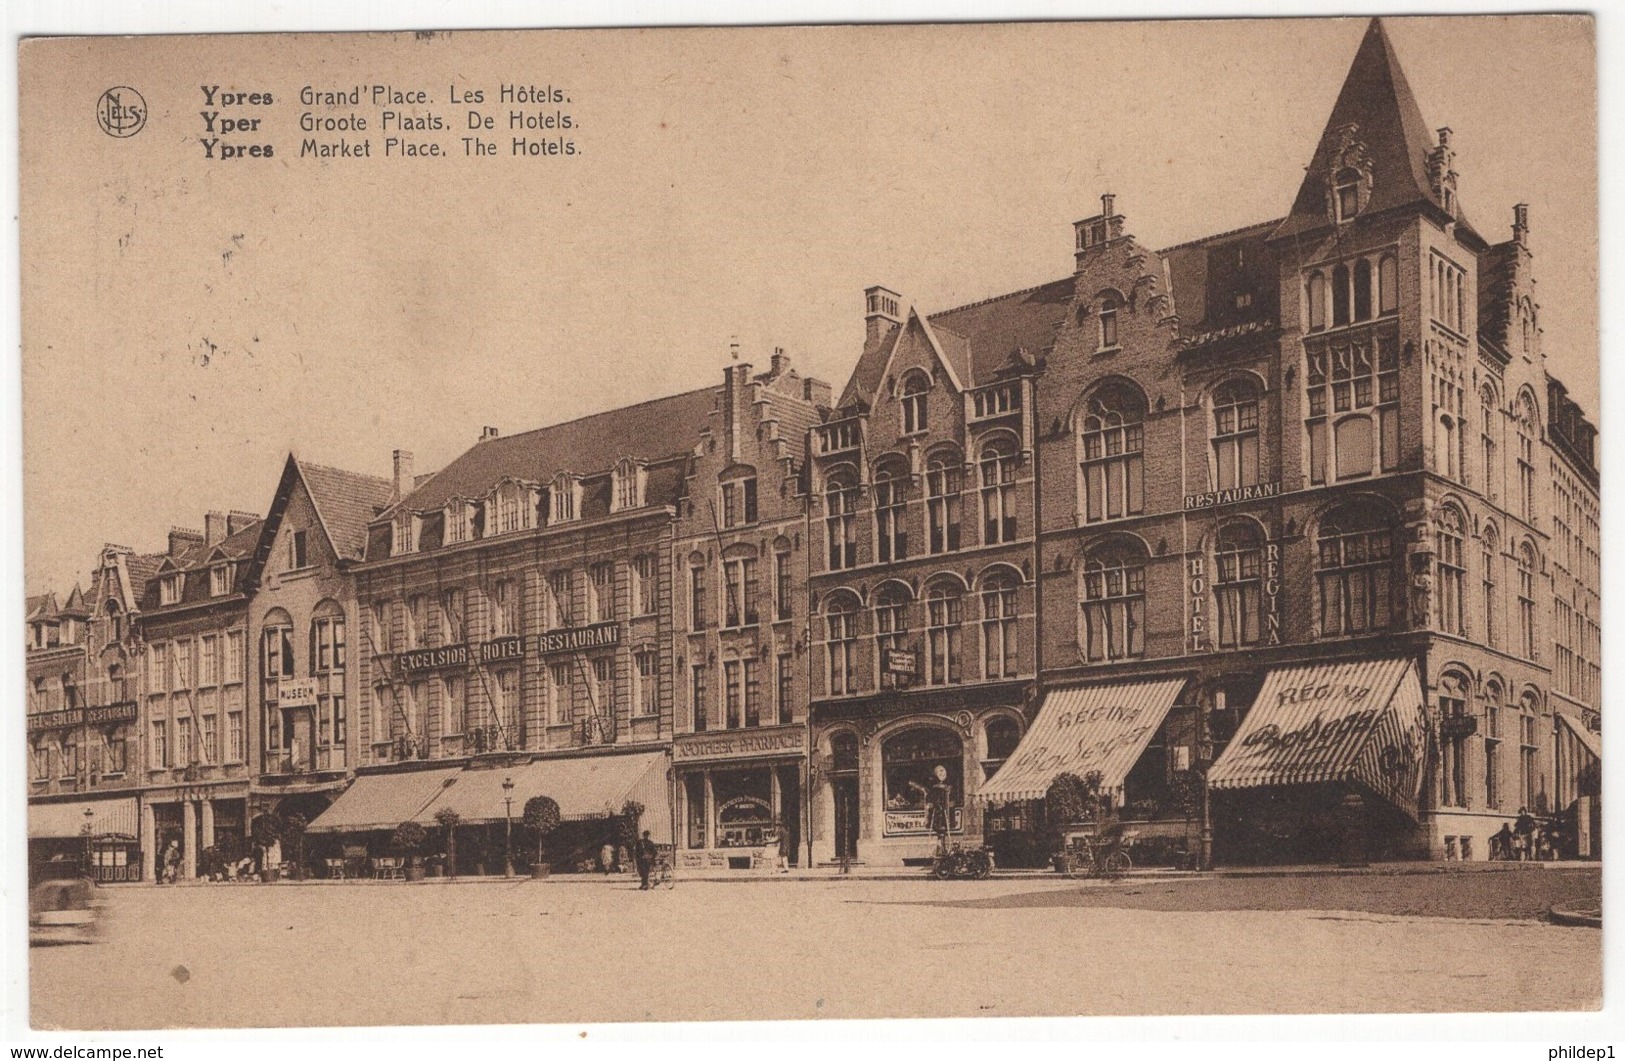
649,431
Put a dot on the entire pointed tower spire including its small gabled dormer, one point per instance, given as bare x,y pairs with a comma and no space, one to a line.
1376,152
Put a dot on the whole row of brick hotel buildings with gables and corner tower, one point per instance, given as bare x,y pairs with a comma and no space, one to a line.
1293,513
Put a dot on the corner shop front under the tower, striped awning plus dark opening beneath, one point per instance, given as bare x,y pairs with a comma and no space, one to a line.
1327,766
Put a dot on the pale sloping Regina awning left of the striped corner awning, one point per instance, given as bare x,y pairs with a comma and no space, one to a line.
1083,730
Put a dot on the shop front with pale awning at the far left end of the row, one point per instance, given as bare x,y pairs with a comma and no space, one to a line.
69,838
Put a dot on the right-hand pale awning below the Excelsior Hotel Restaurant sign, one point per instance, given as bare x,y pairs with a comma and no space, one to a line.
584,787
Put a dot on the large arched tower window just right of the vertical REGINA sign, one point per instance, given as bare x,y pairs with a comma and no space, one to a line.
1358,571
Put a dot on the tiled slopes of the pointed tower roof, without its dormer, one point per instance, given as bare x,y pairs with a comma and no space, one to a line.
1377,100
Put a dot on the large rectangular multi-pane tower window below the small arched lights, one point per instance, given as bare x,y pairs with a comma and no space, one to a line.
1358,394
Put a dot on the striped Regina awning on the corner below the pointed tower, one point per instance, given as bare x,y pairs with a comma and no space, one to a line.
1338,722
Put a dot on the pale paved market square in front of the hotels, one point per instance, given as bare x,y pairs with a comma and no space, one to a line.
579,951
